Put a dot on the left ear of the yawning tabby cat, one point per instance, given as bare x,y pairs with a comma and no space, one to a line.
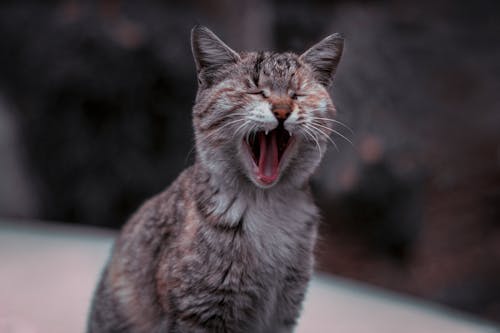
210,54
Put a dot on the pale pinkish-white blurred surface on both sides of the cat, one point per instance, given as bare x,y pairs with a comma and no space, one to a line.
48,272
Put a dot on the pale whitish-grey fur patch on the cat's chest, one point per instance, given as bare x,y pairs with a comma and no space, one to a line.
275,236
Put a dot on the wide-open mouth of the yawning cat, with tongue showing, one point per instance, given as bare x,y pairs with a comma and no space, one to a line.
267,151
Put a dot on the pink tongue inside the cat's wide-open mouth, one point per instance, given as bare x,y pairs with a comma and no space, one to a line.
268,161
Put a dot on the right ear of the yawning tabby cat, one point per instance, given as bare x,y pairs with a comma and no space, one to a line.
324,57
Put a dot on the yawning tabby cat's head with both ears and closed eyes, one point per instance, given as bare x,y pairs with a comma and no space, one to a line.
262,116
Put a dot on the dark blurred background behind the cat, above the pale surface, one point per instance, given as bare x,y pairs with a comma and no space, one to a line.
95,100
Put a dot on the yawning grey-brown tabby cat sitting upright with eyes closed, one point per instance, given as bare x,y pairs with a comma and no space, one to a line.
228,247
